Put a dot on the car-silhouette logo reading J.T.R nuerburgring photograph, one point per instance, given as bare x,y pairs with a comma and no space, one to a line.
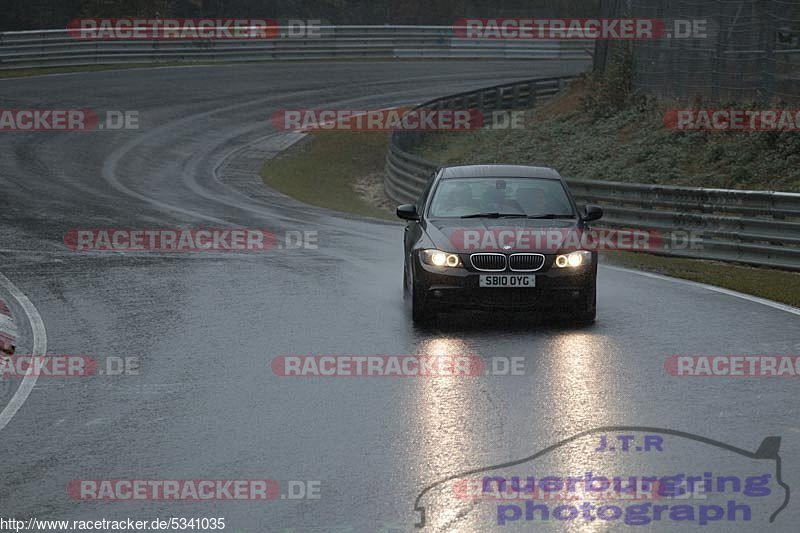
589,454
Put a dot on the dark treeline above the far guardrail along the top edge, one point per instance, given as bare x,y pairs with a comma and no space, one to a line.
54,14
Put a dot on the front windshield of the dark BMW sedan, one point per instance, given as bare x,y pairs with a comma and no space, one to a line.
500,197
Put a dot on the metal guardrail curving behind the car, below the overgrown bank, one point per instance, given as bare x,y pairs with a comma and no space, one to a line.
752,227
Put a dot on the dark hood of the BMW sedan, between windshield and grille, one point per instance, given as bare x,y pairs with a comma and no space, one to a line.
493,234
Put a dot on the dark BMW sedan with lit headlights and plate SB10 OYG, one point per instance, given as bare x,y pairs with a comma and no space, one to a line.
498,237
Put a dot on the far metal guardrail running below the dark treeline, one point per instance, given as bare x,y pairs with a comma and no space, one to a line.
49,48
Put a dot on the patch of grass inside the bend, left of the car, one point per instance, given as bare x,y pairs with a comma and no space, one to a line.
335,169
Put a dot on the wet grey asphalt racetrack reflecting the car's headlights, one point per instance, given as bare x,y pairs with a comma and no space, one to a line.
205,327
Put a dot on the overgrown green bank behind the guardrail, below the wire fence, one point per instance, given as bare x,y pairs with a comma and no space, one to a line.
630,144
